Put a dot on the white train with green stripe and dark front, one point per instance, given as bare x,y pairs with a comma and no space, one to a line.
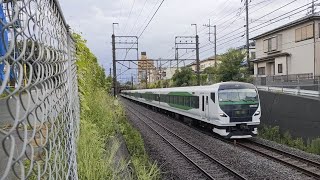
231,109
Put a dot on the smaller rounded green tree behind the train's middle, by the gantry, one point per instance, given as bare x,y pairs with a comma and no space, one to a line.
183,77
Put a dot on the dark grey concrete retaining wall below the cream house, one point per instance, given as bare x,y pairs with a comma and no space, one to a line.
298,115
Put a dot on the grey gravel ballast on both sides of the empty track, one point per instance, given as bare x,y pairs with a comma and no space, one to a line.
250,165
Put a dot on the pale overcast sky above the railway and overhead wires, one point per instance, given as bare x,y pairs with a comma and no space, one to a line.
94,18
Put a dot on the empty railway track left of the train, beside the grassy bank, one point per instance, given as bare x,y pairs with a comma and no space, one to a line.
210,167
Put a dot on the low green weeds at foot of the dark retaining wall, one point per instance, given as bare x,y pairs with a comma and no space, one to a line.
274,134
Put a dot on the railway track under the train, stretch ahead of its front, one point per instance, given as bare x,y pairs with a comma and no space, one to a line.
303,165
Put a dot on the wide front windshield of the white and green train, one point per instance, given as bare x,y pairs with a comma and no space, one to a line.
238,96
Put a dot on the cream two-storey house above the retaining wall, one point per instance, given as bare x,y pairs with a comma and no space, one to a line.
292,49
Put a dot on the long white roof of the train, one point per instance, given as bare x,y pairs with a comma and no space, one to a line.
196,88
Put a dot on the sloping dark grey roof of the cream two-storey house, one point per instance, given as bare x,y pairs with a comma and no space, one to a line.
287,26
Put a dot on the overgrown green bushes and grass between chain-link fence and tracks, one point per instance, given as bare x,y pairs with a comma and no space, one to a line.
102,118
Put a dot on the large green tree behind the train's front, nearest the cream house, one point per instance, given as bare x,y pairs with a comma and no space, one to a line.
230,68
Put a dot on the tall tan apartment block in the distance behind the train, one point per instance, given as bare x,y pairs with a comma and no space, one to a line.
146,70
